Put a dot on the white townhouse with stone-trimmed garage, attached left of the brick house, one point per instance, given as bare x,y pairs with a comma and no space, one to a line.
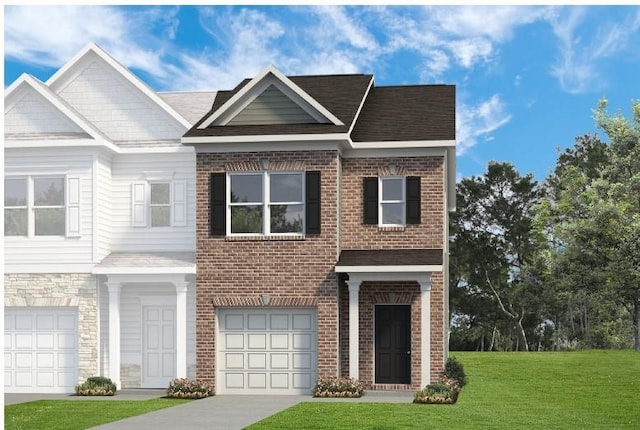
99,219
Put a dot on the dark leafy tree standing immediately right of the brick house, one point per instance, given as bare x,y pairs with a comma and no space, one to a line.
492,246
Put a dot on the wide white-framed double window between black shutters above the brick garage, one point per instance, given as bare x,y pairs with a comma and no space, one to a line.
265,203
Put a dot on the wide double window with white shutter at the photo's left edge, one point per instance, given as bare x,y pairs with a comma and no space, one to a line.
38,206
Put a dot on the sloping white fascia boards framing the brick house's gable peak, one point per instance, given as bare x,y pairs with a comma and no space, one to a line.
244,96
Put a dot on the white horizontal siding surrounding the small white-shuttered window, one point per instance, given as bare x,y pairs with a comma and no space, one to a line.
127,169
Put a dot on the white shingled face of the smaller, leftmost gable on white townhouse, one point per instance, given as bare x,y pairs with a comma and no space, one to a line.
32,114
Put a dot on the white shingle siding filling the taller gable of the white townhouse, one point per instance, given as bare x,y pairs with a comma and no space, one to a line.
117,107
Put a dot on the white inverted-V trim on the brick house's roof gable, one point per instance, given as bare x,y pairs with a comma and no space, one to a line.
269,76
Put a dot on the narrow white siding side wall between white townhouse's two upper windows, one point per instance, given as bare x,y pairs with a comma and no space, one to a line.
104,216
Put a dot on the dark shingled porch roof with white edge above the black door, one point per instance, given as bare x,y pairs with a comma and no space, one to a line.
390,260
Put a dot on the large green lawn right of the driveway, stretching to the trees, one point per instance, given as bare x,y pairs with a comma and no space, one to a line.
554,390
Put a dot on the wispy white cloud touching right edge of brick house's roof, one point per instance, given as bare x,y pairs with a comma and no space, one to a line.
479,121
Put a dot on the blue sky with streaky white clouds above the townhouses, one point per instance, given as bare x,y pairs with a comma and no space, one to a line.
527,78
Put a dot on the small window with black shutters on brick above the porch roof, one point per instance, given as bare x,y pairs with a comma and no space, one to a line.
391,201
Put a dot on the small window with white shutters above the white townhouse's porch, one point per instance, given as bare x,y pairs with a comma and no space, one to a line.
159,204
